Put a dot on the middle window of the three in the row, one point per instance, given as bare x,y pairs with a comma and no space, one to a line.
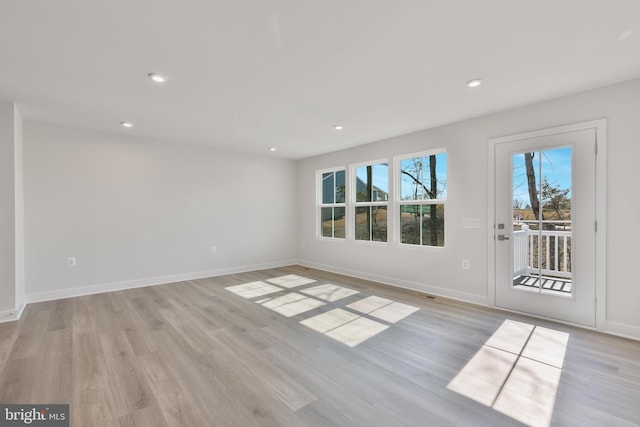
371,199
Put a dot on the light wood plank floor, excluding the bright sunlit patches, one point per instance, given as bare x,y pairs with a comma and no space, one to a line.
195,354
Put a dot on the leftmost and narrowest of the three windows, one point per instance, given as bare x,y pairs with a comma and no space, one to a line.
332,203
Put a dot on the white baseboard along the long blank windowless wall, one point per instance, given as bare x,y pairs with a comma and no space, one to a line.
151,281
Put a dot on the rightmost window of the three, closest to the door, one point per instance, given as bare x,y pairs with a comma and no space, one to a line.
423,193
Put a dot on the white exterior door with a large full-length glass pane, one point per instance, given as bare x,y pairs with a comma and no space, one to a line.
545,225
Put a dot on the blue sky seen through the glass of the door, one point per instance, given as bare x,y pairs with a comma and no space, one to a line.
556,167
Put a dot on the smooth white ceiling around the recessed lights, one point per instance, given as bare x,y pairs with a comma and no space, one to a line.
248,75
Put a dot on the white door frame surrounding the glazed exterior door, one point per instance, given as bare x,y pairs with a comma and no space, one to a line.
600,127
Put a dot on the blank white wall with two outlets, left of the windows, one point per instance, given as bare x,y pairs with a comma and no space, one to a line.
137,212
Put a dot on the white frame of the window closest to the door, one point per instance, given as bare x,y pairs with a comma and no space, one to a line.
398,202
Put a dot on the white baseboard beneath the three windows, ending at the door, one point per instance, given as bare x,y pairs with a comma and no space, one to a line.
405,284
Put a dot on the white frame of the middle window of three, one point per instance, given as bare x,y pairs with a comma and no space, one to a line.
354,204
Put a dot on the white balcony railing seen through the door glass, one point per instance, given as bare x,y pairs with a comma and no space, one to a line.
554,250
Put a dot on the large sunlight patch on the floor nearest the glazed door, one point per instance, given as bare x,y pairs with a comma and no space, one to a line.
516,372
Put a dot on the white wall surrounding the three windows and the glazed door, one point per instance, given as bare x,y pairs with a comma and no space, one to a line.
439,271
